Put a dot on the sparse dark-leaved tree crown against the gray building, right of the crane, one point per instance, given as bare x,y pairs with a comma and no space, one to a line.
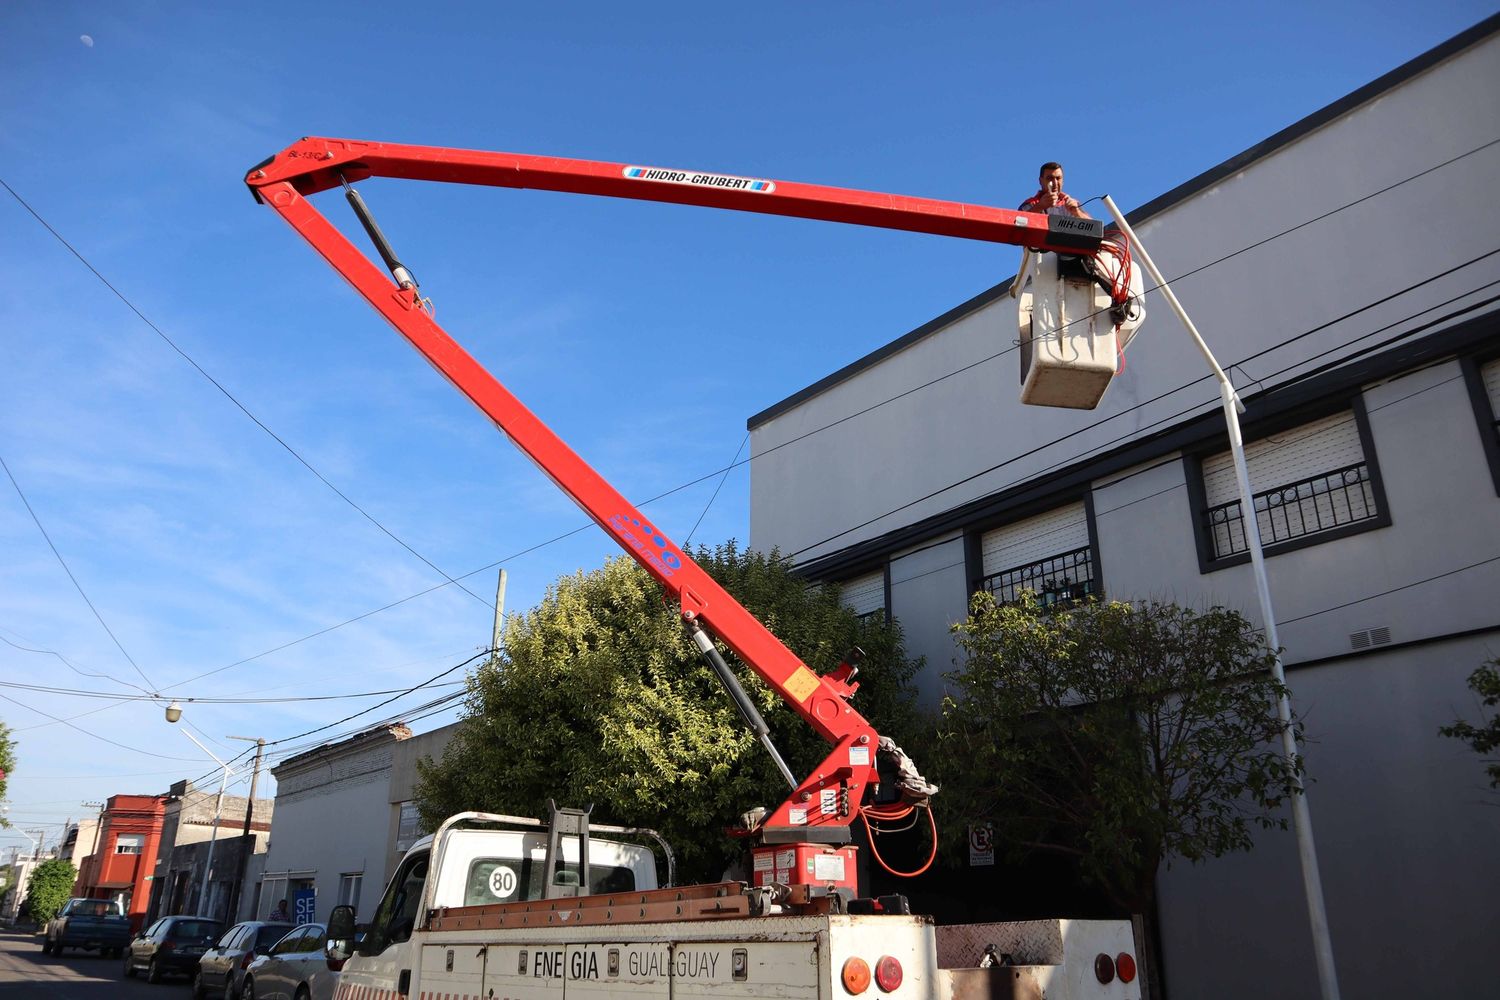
1118,735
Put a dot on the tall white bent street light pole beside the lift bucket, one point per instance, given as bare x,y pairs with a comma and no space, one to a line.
1301,816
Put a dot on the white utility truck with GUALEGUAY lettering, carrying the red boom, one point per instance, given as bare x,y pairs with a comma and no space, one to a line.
472,915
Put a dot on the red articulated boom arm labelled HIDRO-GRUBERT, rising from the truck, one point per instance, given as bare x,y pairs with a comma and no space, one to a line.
824,806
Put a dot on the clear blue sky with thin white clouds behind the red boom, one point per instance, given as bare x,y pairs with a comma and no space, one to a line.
646,335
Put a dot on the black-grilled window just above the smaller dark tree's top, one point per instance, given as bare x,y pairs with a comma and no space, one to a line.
1051,554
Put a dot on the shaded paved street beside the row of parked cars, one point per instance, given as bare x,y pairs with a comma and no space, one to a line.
28,974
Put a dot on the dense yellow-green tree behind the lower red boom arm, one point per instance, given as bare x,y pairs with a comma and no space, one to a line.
599,698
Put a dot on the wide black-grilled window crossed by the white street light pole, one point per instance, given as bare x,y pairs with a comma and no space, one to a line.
1310,481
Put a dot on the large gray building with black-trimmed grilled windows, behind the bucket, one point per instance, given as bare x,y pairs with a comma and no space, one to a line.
1364,335
